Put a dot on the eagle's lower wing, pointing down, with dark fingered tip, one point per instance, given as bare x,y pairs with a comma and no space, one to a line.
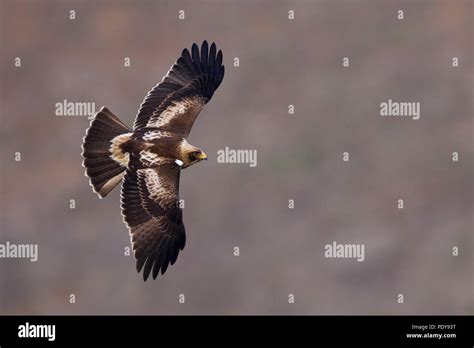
150,210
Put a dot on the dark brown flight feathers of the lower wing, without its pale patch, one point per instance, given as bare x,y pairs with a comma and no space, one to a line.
156,239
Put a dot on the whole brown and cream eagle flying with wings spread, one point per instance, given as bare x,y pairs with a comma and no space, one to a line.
148,159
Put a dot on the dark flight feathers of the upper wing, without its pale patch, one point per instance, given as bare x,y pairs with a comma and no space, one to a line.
199,72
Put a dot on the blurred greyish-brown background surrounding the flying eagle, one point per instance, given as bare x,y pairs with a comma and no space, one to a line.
300,157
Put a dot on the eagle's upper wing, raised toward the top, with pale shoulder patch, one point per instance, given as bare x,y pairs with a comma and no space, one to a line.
174,103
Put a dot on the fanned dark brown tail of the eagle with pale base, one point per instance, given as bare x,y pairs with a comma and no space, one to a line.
104,161
